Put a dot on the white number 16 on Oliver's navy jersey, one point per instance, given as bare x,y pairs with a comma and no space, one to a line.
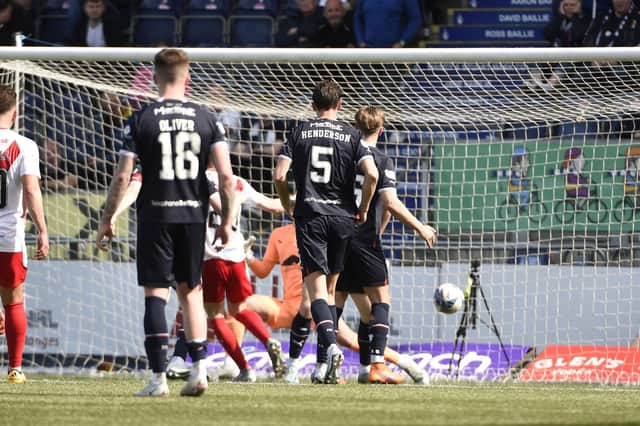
185,164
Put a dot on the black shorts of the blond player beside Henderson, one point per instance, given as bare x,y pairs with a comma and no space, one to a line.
365,267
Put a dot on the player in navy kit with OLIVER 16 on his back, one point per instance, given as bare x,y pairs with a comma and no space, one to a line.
172,139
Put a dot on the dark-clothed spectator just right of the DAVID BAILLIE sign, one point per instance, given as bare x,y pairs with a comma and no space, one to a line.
568,27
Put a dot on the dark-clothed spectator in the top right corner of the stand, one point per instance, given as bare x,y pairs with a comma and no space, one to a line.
619,26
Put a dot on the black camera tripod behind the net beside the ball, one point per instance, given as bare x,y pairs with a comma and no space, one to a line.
470,318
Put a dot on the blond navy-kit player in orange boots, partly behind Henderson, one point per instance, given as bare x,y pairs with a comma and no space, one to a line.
365,275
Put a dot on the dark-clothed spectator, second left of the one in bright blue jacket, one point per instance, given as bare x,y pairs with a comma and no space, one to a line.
301,29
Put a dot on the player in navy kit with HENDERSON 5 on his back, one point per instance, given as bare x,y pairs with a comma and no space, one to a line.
325,155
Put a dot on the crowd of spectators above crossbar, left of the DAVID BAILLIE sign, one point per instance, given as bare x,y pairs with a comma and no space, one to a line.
298,23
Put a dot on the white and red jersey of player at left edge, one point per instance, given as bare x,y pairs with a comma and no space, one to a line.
18,157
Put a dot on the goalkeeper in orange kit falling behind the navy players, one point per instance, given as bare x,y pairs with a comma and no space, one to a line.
293,311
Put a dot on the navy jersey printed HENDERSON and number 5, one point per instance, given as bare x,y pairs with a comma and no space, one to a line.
325,154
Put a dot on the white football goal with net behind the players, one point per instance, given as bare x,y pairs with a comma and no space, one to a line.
527,160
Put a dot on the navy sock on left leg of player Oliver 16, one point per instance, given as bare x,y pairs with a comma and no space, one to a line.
156,339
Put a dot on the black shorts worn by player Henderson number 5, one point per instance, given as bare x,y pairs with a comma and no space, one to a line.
323,242
